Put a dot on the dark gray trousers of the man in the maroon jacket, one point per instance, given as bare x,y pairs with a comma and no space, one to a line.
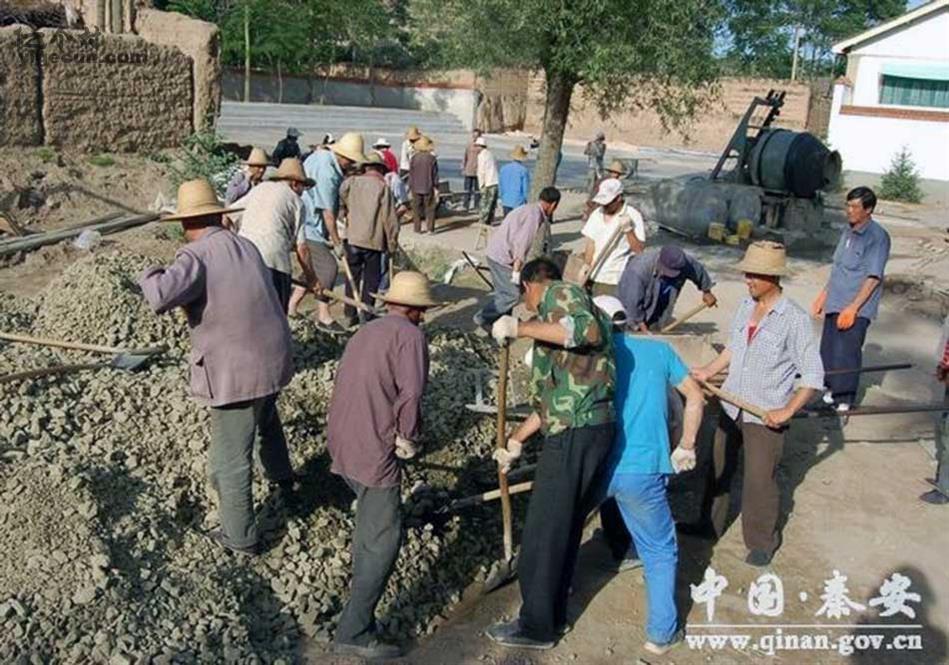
376,543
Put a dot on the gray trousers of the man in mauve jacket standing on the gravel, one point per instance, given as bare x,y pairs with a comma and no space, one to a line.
234,430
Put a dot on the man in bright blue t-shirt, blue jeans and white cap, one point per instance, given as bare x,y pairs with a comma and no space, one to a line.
640,462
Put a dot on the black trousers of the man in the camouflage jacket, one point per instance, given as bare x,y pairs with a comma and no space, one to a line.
570,465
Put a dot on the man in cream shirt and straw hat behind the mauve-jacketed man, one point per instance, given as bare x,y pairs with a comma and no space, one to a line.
273,221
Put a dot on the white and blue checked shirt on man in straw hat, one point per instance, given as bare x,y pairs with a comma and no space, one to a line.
763,370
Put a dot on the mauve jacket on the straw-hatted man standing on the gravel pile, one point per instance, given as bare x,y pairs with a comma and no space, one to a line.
240,340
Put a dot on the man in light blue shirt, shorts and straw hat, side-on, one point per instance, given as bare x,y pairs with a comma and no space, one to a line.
327,168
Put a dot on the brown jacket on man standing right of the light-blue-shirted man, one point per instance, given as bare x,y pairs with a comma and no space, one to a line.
369,207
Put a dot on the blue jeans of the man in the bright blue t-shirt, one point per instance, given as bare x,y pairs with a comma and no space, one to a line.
642,502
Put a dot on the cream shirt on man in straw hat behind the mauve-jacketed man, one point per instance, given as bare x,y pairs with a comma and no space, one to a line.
272,220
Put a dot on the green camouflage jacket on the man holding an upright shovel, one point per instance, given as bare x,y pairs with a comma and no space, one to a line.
573,387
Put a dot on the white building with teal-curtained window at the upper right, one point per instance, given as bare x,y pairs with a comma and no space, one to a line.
896,93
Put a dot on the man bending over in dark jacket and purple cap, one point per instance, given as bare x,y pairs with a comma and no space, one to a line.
652,281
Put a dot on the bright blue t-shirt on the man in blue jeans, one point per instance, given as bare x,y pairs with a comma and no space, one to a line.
645,368
